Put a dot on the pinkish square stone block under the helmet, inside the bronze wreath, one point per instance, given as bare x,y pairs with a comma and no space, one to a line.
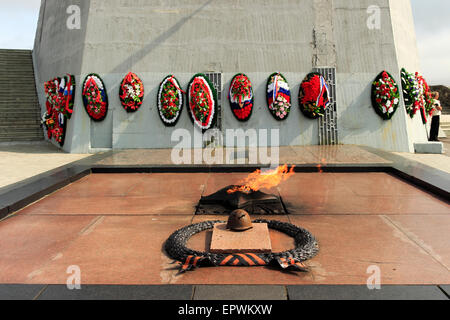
255,240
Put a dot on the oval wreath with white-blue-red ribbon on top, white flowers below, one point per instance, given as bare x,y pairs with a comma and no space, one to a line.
278,96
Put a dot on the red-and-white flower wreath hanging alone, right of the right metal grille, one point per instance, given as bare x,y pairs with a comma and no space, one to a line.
385,95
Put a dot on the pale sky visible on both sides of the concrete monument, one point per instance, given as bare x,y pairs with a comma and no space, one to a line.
18,20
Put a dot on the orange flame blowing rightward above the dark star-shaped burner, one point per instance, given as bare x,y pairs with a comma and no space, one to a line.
257,180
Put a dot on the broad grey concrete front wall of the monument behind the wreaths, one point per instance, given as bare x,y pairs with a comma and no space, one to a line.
157,38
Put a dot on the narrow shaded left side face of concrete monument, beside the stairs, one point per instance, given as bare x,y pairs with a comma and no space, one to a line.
58,51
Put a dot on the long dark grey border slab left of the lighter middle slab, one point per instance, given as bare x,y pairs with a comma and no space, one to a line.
99,292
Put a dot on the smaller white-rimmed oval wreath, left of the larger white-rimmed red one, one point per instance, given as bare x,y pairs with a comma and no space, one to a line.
170,101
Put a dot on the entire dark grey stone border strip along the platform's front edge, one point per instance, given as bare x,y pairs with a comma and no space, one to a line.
224,292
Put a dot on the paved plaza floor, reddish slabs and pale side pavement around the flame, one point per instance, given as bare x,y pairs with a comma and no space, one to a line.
113,225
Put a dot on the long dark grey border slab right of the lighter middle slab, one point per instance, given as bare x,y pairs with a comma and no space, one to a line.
345,292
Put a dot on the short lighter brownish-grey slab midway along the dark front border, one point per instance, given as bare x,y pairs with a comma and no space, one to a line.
240,292
